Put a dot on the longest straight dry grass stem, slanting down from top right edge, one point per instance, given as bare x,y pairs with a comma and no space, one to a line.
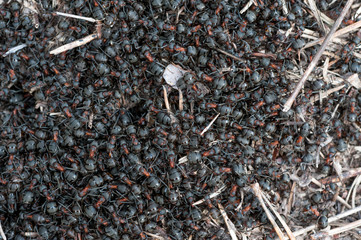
317,57
